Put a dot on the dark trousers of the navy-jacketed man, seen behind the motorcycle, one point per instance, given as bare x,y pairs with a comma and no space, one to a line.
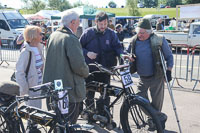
99,77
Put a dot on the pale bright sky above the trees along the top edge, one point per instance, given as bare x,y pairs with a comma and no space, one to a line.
17,4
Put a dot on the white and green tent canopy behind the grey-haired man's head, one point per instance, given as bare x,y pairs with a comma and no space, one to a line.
85,12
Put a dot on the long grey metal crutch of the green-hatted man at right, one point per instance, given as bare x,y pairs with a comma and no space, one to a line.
169,89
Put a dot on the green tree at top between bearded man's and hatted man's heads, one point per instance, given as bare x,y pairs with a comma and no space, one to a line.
132,7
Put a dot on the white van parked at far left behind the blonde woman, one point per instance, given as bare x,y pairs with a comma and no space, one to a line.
12,23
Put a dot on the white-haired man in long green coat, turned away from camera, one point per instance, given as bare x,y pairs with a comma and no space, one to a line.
65,61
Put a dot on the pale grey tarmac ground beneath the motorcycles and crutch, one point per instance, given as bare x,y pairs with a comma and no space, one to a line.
187,105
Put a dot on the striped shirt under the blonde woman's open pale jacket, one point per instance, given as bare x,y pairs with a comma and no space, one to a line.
38,63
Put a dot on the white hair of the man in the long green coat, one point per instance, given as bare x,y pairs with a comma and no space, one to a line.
68,17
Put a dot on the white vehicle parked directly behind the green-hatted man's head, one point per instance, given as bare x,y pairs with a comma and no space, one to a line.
154,17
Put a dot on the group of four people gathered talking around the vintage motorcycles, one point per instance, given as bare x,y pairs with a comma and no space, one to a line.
68,58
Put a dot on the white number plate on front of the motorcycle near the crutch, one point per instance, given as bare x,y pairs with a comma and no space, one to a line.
126,78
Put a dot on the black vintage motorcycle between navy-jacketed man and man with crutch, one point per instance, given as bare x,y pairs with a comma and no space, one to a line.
136,113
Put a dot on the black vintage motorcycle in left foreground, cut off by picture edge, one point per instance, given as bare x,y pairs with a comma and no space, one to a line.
11,114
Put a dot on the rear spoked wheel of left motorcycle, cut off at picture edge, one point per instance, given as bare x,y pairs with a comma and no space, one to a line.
4,124
